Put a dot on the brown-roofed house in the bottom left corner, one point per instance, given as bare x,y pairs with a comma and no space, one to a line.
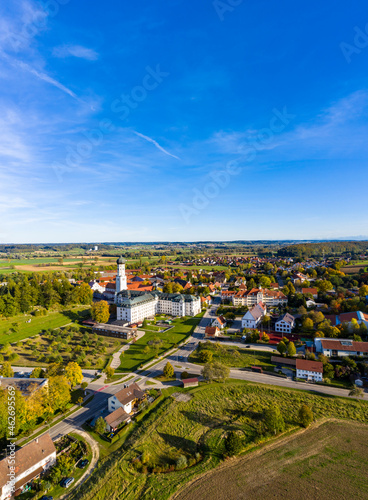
30,462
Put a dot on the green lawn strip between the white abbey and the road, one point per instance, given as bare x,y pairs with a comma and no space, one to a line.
134,357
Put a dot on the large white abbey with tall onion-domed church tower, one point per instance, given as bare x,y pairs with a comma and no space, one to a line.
134,306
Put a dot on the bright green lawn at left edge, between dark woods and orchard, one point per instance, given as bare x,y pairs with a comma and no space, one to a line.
54,319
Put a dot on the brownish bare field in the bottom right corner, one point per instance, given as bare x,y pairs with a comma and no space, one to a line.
326,461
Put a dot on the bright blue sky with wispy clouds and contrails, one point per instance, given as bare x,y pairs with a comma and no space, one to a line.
182,120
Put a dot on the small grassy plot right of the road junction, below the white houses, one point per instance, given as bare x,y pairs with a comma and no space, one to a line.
235,357
